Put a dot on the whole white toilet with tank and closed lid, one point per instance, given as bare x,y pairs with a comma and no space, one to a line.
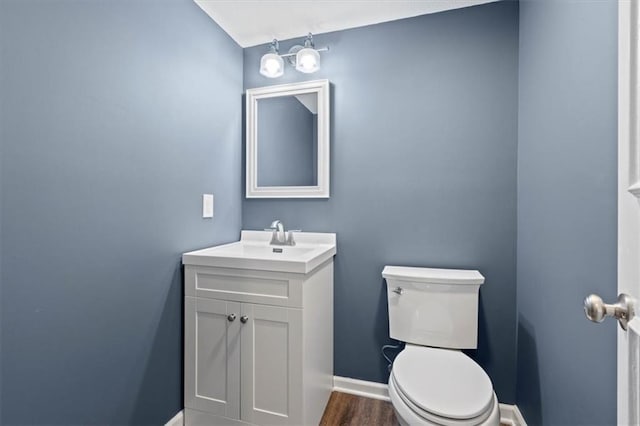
435,311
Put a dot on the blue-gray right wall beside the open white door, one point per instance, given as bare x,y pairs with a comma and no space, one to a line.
566,210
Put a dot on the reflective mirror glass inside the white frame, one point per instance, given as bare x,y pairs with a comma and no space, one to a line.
288,140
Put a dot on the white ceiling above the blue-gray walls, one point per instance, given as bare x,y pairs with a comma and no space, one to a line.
252,22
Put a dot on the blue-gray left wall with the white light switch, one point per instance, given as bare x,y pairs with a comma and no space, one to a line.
116,117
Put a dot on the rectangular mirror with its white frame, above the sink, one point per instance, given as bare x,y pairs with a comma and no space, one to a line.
288,140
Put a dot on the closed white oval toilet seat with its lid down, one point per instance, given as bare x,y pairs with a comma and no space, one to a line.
442,386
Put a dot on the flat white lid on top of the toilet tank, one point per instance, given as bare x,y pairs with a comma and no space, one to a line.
433,275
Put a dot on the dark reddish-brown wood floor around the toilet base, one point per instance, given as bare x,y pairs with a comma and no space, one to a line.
344,409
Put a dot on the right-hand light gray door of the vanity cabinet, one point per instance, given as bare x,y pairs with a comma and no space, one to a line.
271,373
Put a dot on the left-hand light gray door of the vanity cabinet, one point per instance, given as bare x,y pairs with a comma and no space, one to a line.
212,356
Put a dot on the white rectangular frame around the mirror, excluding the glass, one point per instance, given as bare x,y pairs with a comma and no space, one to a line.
321,190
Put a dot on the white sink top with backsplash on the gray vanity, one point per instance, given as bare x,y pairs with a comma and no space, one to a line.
253,251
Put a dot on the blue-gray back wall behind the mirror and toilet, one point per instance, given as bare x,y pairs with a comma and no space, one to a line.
423,172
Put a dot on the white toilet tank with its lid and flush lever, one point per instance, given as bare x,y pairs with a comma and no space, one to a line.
433,307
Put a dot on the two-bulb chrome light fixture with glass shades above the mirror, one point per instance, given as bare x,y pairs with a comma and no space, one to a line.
304,58
